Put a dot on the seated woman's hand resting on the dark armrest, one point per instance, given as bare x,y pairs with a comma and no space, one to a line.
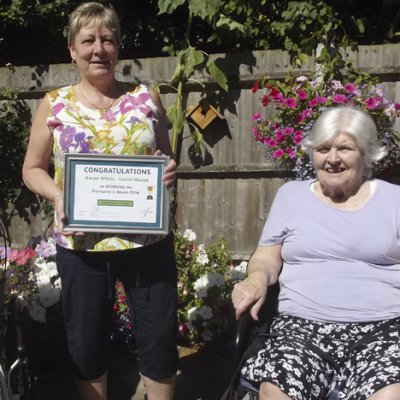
251,292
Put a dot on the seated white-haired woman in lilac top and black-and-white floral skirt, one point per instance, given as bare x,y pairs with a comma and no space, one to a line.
334,245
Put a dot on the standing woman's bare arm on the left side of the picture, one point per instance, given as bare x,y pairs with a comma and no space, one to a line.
36,165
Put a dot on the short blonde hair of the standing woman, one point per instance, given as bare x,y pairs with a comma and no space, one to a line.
97,13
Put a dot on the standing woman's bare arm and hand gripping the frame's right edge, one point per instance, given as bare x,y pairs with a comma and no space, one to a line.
163,143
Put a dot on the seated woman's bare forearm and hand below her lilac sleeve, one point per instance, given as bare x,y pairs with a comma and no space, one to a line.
262,271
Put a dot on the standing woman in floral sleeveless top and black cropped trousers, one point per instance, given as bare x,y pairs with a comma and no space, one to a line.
97,116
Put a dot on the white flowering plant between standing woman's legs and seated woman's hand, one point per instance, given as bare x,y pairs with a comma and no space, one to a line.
206,276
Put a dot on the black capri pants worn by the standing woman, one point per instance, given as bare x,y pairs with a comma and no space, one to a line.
149,277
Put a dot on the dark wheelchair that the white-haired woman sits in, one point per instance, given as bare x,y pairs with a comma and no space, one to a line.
249,340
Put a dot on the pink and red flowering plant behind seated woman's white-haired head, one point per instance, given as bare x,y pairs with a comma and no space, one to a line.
290,107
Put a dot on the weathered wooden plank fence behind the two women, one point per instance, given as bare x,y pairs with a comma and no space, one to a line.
229,190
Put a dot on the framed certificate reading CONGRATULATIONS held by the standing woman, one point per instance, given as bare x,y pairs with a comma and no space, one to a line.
112,193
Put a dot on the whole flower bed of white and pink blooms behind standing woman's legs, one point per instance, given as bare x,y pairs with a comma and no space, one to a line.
206,276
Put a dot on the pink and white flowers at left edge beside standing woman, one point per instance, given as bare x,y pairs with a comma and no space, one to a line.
31,276
